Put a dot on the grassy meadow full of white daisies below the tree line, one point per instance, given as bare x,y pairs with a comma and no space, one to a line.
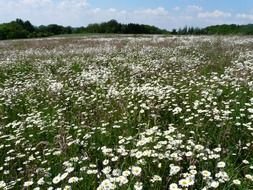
126,113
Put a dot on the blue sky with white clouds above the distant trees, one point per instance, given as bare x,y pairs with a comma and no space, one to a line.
167,14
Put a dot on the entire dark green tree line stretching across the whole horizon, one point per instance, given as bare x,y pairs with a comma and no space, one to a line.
24,29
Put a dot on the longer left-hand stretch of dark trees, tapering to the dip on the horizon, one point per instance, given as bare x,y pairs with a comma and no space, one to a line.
24,29
